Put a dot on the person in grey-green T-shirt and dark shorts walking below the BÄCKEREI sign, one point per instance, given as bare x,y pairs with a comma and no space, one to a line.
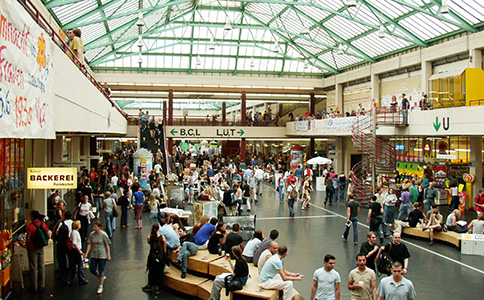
98,243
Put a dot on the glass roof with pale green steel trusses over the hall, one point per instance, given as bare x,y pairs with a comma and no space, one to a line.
272,37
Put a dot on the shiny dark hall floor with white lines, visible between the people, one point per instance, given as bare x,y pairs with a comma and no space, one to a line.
438,272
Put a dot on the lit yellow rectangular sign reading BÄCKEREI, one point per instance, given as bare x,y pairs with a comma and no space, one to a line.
51,178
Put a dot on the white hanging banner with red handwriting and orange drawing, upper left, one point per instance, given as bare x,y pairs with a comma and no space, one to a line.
26,76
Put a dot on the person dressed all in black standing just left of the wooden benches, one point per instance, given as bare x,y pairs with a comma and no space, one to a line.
156,260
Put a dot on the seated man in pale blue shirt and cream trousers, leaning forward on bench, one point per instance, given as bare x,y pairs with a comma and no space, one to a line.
274,277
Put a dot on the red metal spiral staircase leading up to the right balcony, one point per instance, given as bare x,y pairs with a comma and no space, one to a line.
375,152
